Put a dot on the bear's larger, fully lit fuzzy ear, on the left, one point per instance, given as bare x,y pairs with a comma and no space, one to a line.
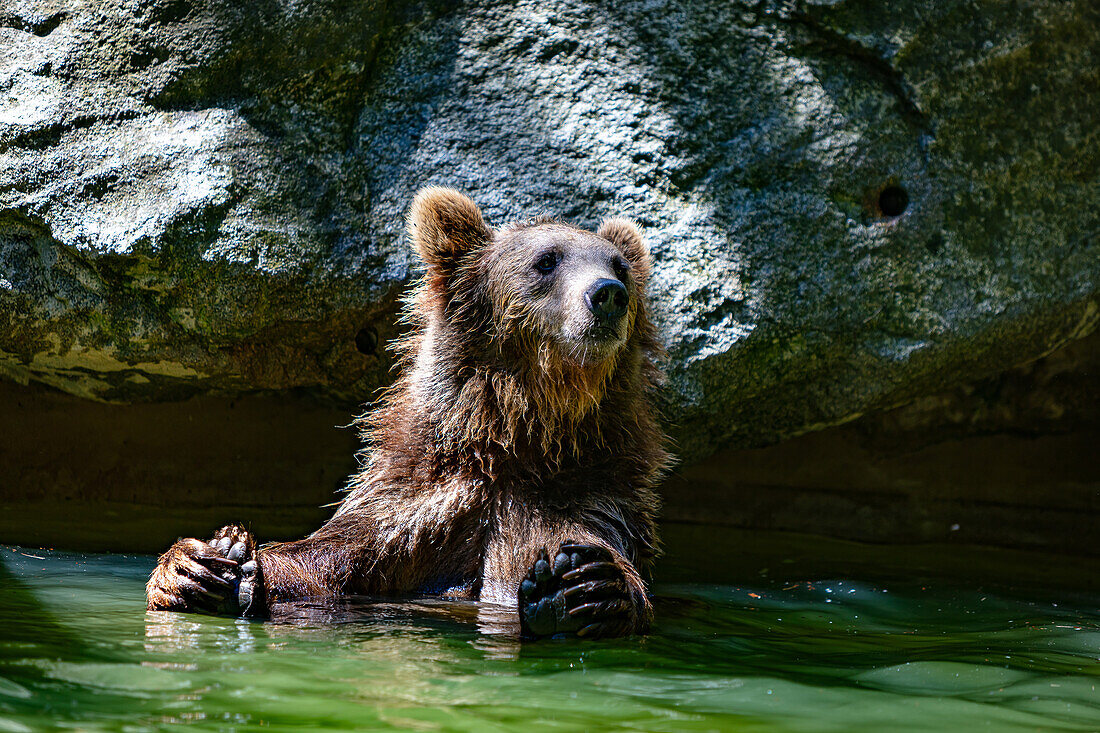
444,226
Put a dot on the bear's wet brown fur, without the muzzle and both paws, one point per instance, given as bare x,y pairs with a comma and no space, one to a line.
497,441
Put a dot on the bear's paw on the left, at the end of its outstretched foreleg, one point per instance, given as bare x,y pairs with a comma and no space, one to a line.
223,576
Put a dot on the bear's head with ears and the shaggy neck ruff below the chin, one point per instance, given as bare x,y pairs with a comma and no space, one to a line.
538,322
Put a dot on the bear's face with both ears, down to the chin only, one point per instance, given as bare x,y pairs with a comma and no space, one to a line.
556,292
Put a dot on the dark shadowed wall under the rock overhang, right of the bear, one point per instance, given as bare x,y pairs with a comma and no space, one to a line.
1007,461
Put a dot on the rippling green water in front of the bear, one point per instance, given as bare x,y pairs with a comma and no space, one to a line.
868,649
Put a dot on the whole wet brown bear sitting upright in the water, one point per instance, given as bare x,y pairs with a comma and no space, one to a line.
514,461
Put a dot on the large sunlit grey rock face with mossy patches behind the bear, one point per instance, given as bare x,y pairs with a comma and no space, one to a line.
852,204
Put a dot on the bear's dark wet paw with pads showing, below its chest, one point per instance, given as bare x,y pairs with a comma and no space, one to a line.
584,590
